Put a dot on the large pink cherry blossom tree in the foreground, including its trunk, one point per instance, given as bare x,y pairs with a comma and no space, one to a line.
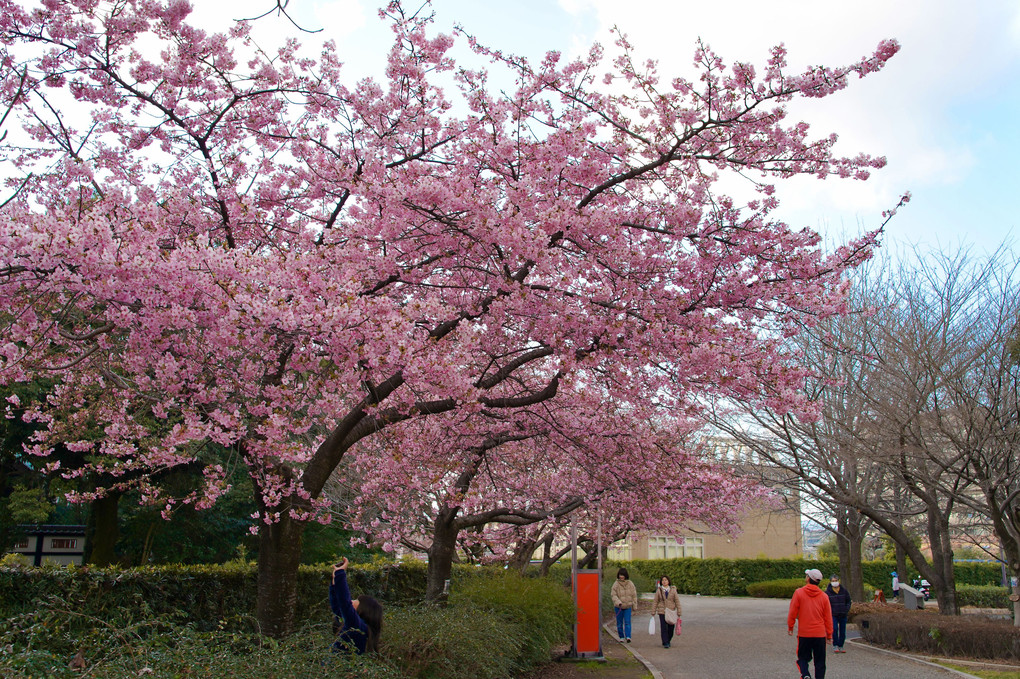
251,252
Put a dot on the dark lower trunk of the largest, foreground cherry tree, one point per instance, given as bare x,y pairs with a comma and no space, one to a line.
279,558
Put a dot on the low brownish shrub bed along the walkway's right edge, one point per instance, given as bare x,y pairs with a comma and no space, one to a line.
928,633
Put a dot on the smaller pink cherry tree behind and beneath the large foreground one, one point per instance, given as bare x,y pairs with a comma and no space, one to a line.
581,457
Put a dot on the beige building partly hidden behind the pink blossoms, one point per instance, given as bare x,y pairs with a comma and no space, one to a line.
773,534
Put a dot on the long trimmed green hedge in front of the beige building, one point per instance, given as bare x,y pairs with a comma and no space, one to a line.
731,578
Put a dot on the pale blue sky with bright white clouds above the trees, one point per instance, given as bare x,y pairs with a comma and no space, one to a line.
944,112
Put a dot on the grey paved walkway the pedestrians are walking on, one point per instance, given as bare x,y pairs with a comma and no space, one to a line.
746,639
